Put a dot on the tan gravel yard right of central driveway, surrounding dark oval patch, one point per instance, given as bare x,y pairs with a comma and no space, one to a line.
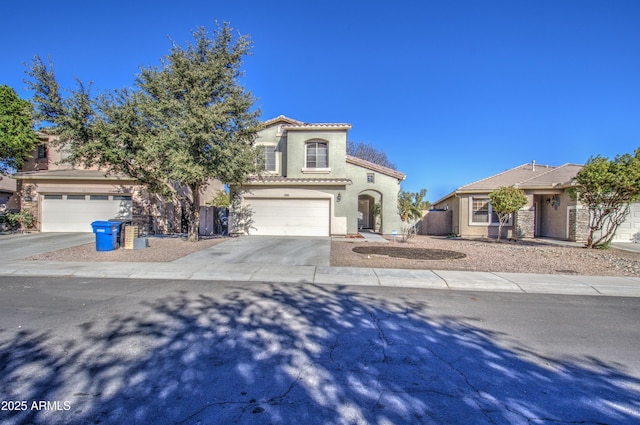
488,255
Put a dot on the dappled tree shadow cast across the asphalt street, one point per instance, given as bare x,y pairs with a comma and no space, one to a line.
302,354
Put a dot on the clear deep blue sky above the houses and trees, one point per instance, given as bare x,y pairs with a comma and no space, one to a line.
453,91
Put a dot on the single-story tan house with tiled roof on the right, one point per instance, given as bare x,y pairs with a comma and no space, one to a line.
550,212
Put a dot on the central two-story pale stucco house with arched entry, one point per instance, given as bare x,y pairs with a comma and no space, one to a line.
311,187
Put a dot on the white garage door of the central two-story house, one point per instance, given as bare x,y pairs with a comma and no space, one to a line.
289,217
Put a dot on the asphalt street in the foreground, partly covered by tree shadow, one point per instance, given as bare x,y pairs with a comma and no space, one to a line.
103,351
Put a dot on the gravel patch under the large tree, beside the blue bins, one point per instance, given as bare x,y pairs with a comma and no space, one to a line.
161,249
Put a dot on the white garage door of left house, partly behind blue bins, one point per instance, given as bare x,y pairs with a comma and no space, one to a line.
75,213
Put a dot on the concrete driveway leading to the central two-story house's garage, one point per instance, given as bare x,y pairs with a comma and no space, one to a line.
271,250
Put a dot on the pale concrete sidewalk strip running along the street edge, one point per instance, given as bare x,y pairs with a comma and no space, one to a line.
326,275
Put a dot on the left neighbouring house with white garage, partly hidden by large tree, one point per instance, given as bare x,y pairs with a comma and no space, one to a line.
68,199
